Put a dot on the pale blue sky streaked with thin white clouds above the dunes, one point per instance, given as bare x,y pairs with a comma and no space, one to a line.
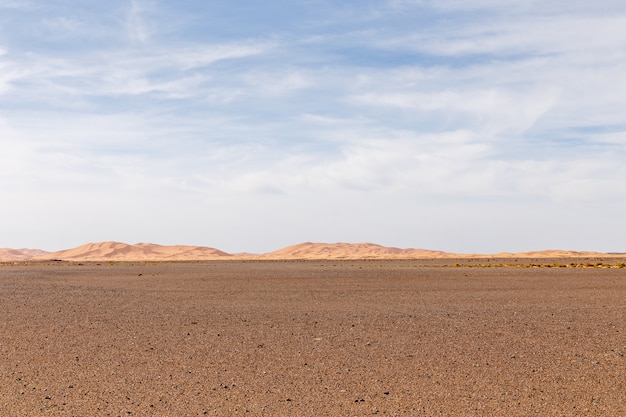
475,126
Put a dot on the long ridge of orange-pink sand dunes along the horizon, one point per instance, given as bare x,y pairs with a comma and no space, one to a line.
116,251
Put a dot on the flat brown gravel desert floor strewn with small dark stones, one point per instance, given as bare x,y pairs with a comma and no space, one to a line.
311,338
